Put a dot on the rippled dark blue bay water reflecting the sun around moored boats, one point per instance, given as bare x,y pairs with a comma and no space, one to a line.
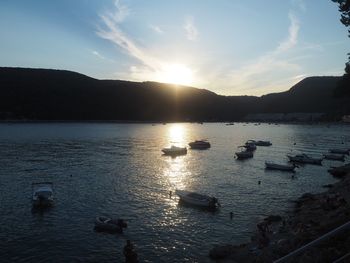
118,170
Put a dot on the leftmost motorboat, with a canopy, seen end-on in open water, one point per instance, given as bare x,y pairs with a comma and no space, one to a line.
42,194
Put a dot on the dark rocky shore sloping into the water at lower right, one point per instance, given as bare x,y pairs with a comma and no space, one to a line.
313,215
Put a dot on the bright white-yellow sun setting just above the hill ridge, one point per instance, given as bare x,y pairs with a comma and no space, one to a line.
176,74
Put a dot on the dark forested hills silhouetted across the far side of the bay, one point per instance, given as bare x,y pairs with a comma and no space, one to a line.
45,94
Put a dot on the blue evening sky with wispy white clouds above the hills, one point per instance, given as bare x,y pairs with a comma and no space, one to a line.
229,47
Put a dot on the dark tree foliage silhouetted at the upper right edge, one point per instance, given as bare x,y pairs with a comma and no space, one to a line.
344,84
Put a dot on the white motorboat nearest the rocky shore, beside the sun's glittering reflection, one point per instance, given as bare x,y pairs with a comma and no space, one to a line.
196,199
